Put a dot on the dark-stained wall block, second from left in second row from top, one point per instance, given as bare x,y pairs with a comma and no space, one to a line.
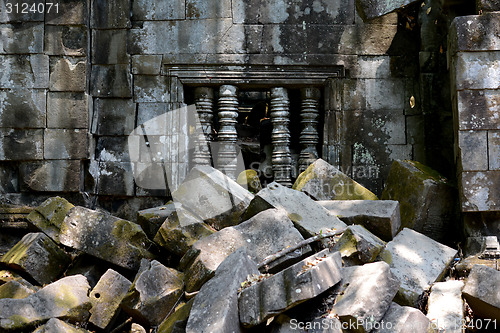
65,40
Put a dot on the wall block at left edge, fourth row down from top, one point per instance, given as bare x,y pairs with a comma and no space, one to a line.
22,108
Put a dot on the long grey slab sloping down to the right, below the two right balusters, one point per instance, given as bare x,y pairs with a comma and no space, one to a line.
307,215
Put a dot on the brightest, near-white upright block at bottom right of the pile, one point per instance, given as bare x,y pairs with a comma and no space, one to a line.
446,307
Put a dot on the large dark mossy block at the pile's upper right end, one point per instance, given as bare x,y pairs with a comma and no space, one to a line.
425,197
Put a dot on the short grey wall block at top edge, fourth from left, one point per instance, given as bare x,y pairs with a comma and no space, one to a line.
144,10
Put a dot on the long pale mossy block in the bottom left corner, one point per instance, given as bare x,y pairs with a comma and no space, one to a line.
66,299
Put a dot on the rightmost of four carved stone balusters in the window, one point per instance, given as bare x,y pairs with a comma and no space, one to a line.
309,137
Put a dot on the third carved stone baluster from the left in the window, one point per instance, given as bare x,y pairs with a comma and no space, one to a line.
280,118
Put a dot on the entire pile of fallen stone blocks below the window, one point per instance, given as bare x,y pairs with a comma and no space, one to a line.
221,259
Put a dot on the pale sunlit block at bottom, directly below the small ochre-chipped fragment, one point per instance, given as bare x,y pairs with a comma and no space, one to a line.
365,294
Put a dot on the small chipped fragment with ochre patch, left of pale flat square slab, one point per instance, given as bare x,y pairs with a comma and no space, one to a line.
358,246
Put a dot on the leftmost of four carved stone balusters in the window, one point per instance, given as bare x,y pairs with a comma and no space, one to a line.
204,97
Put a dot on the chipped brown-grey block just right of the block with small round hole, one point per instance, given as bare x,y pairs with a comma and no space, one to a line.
154,292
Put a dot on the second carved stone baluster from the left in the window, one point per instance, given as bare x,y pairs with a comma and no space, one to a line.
227,136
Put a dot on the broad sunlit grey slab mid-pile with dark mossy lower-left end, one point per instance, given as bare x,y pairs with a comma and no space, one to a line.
264,234
